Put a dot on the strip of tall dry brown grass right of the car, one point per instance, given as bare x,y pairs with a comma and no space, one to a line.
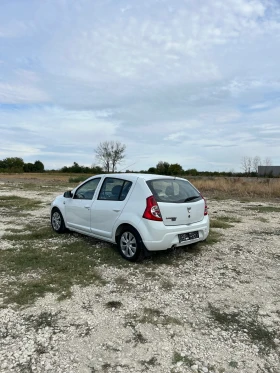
238,187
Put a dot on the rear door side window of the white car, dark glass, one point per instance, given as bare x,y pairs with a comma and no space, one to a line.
114,189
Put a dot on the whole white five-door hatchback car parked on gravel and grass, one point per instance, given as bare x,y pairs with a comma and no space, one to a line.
137,212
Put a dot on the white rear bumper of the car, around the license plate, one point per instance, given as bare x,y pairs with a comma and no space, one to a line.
157,236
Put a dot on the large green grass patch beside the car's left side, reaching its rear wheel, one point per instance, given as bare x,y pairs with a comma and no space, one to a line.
43,261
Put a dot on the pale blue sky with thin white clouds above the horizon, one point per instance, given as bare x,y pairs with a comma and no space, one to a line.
194,82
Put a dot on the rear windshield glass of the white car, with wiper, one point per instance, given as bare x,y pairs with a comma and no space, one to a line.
173,191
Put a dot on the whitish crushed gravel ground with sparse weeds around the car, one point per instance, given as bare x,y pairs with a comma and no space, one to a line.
217,311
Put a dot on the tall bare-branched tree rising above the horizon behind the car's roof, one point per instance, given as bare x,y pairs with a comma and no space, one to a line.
110,154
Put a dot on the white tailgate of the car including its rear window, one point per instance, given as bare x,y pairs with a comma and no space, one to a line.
179,202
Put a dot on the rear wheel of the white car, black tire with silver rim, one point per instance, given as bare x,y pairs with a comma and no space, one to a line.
130,244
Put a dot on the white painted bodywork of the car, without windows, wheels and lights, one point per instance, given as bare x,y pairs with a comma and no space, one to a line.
102,218
